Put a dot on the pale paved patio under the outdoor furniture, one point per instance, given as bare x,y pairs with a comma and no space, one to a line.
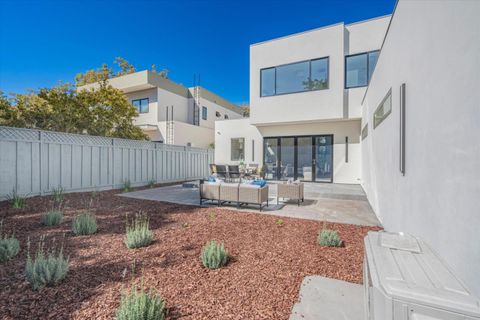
330,202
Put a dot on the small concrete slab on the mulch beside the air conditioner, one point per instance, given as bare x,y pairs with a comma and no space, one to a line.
328,299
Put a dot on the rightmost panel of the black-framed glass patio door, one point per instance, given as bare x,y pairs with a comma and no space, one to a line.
323,158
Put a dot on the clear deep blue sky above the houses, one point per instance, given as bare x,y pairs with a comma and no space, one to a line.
44,42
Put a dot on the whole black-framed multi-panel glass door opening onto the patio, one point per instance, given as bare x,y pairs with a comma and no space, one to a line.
308,158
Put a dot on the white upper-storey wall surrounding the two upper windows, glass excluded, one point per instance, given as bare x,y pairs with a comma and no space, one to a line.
334,42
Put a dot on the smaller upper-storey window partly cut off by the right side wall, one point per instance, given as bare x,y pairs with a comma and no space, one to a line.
359,69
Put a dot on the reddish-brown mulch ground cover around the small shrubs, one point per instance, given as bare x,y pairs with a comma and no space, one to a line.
261,281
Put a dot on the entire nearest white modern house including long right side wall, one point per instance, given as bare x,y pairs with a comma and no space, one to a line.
390,103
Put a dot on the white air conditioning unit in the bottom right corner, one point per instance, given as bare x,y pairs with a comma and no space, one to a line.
405,280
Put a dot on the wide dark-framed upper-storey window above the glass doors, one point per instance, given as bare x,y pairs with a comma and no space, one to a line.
294,77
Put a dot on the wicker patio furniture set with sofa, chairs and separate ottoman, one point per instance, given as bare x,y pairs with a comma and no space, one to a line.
229,184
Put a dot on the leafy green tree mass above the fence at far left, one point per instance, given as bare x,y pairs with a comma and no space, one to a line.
104,111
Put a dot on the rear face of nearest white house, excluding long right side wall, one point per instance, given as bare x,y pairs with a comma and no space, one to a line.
306,91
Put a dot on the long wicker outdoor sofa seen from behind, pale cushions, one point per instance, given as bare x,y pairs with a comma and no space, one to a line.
238,193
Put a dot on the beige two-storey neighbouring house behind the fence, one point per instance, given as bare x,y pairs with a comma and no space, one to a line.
171,113
